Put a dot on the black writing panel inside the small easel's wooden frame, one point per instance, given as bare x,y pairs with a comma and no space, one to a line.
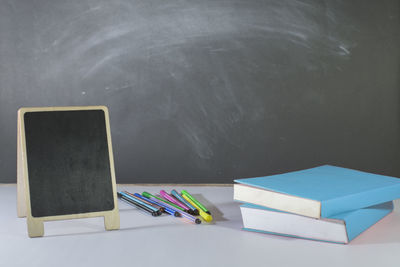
68,162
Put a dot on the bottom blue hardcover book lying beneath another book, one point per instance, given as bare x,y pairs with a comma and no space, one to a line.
340,228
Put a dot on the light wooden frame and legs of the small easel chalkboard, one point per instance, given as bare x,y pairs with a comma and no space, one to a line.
35,224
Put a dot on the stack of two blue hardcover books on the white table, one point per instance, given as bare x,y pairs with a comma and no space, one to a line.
325,203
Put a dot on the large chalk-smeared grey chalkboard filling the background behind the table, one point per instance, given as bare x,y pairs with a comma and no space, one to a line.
212,90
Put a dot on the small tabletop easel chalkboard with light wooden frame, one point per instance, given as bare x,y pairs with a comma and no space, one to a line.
65,166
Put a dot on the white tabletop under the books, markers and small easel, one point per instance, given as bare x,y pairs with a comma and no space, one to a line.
165,241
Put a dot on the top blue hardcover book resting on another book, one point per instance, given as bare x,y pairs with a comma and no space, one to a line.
318,192
